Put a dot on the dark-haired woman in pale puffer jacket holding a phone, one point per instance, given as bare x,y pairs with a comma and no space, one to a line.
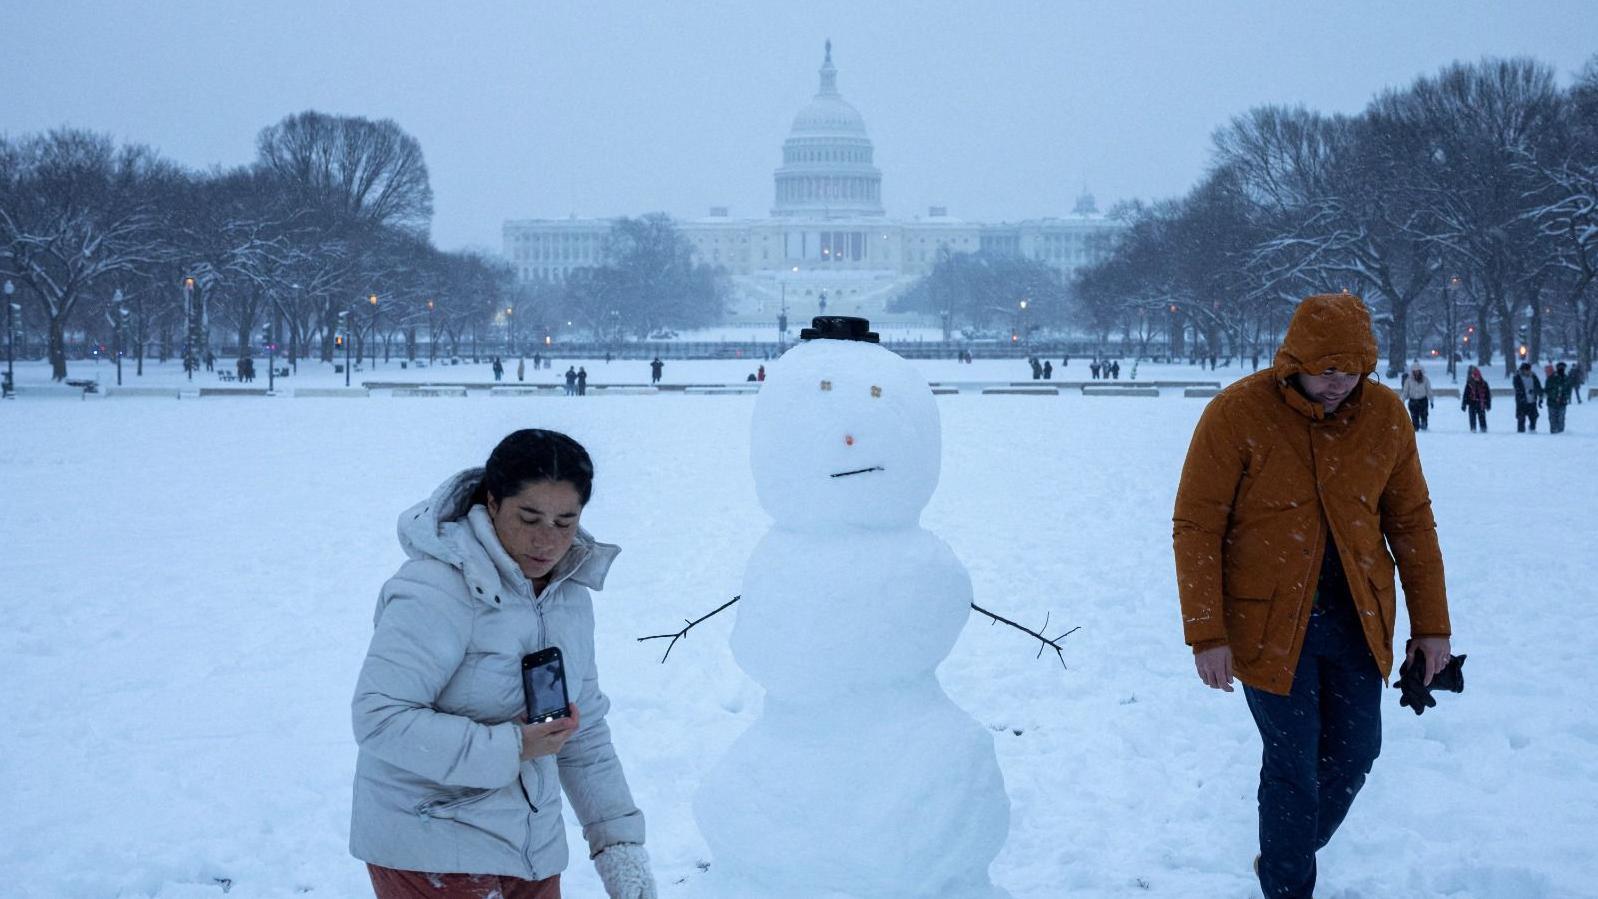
456,796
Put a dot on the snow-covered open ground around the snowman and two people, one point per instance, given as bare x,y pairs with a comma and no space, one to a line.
188,590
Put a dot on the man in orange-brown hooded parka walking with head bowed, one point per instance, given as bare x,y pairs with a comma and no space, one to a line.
1298,483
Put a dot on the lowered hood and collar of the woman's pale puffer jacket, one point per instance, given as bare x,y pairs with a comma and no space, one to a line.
447,528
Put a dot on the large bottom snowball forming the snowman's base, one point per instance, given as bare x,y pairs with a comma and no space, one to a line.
888,794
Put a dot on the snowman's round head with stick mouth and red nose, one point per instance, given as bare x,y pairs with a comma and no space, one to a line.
845,434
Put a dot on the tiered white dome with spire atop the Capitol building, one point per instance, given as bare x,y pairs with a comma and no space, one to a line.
827,159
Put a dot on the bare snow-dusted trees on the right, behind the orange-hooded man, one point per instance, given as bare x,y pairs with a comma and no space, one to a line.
1465,208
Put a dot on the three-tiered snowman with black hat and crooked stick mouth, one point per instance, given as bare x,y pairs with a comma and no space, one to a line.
861,778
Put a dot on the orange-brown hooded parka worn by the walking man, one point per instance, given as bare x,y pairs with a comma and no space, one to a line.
1271,477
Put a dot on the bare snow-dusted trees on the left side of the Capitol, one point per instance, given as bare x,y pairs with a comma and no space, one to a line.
324,236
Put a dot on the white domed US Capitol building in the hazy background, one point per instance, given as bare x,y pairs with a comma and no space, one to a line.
829,245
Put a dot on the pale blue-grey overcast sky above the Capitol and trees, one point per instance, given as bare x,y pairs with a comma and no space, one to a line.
528,109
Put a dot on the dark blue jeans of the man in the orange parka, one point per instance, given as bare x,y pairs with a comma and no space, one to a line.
1319,745
